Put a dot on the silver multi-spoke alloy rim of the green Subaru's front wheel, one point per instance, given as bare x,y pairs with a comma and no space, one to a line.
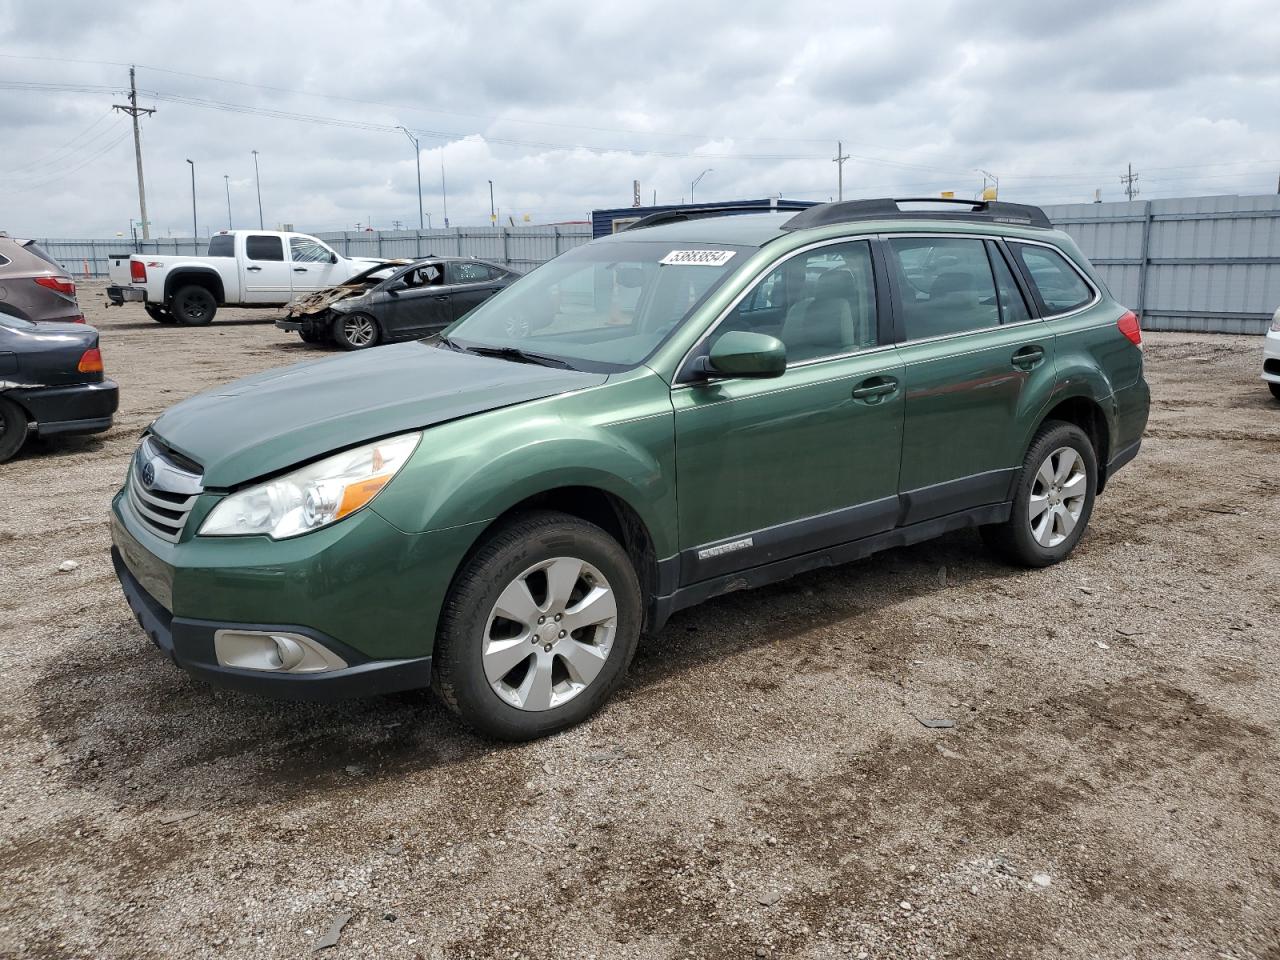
550,634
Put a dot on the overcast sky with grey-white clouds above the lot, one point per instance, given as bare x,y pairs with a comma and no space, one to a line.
563,106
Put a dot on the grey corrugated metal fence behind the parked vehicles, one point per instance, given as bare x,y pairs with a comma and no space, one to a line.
1208,264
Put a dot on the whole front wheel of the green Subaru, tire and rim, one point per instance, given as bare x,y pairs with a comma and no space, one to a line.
538,629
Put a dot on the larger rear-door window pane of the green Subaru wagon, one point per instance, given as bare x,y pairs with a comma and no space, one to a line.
947,285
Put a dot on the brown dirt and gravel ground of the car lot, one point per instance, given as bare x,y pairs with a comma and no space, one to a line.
761,788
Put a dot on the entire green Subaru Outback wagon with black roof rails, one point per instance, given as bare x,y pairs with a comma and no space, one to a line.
698,405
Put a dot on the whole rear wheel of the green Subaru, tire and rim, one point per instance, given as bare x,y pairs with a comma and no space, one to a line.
1053,501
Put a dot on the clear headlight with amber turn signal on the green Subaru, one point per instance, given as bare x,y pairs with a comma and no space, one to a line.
313,497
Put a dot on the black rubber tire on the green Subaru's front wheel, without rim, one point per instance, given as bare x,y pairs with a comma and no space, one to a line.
500,561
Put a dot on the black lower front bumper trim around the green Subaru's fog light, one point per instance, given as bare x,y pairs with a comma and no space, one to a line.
190,644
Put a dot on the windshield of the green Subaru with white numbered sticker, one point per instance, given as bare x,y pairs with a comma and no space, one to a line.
602,307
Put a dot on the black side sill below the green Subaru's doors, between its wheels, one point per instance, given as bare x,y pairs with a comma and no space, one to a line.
830,557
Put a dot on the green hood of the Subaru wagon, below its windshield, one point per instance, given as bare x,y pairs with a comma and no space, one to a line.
275,420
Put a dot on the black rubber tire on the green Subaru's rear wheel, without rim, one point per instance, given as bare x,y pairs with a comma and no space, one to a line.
1016,540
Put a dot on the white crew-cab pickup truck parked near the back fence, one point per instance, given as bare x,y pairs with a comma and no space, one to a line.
243,268
